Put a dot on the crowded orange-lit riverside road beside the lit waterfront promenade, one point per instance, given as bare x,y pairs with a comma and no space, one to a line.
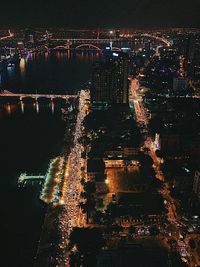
71,216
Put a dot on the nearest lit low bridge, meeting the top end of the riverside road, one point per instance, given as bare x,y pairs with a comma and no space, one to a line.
6,93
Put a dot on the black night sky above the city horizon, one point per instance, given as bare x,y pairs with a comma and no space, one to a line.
102,13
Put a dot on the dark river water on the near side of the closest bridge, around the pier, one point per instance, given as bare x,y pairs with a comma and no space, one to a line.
27,142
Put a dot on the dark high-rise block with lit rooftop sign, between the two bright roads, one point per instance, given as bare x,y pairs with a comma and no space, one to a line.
110,80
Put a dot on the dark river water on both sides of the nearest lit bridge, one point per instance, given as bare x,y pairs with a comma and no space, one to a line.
27,141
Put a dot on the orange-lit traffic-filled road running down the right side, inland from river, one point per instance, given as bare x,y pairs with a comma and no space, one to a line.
174,219
